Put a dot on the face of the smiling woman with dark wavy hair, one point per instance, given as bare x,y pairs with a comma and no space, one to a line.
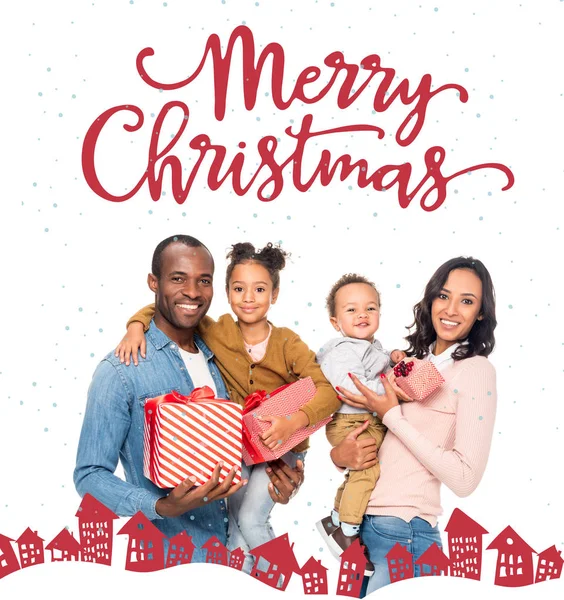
456,308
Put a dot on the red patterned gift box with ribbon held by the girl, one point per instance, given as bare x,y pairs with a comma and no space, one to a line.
284,401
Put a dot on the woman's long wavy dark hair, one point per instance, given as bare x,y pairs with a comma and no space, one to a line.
480,340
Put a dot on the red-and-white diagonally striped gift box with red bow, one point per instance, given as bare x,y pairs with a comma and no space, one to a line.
189,435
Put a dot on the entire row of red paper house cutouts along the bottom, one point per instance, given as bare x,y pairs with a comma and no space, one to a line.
275,562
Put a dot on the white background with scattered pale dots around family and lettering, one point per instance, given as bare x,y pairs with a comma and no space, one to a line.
74,266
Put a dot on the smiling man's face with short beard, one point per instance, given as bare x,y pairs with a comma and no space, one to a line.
185,289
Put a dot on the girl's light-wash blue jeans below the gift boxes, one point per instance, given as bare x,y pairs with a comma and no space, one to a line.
249,510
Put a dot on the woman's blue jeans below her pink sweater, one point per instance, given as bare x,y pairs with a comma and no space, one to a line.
380,534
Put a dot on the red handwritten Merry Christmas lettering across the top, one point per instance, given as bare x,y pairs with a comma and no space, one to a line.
270,175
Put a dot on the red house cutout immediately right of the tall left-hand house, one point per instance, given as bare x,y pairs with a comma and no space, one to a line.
145,550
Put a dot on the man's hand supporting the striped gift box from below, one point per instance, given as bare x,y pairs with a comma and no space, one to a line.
185,497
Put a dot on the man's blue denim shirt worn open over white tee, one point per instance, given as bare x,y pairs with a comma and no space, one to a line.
113,429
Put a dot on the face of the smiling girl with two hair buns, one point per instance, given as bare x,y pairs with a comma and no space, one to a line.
250,292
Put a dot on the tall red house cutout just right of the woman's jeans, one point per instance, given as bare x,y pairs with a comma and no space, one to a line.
465,545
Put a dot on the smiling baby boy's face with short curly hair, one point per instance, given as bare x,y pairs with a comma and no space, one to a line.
357,311
